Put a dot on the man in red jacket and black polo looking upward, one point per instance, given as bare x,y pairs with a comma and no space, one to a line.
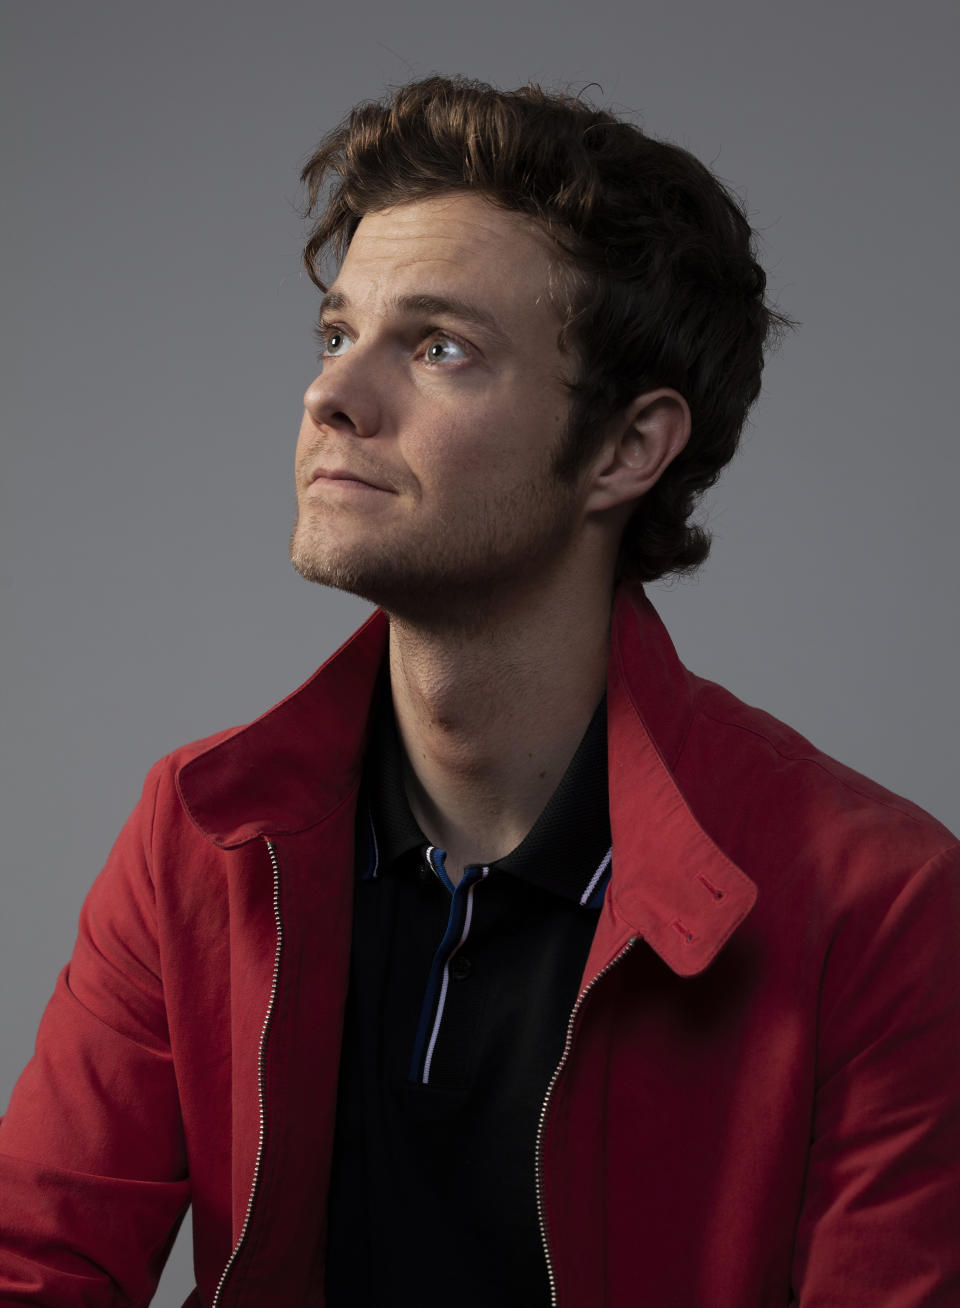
507,962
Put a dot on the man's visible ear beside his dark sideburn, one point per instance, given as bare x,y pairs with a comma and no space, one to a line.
643,444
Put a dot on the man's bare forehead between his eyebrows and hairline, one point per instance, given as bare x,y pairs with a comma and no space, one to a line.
454,245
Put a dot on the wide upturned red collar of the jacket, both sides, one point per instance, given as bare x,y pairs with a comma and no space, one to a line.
672,885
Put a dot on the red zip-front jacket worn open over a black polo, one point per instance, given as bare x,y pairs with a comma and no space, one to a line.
759,1102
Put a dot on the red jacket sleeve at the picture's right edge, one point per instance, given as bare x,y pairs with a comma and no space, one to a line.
881,1221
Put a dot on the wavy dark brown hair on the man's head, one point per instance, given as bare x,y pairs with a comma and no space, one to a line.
659,283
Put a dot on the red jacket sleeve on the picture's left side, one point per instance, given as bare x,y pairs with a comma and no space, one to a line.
94,1177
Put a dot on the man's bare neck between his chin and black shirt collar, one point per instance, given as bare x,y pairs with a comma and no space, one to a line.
491,714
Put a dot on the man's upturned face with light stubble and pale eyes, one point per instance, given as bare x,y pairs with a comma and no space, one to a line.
424,462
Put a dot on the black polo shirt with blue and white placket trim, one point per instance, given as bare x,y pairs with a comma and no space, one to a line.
456,1021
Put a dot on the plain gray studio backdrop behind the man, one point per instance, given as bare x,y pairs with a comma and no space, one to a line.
158,343
